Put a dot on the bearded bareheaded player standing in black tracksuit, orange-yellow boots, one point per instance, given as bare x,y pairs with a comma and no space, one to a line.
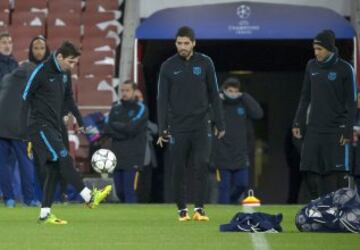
187,87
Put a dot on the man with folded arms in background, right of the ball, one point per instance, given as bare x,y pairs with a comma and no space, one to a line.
127,126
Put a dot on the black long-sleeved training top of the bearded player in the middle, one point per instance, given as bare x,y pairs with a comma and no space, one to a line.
186,89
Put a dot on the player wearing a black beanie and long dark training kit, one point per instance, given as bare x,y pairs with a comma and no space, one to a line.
330,88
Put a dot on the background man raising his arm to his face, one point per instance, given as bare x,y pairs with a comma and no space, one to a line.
231,155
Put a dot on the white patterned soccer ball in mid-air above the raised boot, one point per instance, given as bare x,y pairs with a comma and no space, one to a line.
103,161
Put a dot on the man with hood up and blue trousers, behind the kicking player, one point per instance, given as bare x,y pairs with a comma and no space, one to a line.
13,130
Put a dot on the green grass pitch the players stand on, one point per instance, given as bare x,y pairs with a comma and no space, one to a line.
152,227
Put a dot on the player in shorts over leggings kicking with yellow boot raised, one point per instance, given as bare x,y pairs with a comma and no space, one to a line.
48,91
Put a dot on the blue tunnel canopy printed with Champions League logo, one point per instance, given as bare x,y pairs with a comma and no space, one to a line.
246,20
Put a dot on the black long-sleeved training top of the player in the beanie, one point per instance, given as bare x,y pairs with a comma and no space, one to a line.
330,87
